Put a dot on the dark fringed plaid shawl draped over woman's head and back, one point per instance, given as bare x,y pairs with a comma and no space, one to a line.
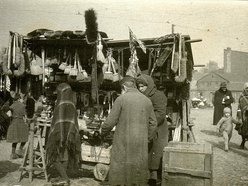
64,132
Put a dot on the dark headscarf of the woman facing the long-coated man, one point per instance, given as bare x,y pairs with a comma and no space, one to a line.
147,81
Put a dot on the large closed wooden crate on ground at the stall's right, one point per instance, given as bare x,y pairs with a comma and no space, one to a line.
187,164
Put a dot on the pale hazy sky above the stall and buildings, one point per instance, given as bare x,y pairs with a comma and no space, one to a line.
220,24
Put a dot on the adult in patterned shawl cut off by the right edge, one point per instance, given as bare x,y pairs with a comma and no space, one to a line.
242,115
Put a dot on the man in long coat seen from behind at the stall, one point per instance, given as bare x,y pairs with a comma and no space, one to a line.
135,122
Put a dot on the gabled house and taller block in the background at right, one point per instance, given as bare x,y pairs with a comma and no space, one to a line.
234,73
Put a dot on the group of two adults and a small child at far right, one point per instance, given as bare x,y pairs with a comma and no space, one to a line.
223,117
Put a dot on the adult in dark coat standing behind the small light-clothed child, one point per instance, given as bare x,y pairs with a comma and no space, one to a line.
222,98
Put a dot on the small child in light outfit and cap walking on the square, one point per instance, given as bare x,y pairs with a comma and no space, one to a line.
225,126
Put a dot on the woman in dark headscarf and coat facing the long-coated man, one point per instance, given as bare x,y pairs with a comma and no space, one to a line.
147,86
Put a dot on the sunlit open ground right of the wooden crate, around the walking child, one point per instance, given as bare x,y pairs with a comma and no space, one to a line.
230,168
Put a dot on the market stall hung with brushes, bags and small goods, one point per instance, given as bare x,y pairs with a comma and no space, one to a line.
44,58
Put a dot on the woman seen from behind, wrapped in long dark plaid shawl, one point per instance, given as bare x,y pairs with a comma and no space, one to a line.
63,144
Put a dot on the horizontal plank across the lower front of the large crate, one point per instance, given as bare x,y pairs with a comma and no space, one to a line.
203,174
